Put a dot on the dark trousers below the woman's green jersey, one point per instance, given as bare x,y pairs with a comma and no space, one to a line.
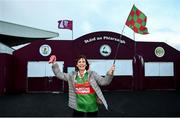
84,114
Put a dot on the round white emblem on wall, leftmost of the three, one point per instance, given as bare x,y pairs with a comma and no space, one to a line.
45,50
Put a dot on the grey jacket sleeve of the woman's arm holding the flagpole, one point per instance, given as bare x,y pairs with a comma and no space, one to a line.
103,81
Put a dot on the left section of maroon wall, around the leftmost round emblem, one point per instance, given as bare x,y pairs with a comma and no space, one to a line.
63,51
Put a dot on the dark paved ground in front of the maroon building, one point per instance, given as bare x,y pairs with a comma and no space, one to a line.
121,103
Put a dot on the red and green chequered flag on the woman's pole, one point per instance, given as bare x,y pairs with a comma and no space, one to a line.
137,21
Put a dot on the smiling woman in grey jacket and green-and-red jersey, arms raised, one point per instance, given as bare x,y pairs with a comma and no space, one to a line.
84,90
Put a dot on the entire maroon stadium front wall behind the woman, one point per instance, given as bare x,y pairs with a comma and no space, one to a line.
67,50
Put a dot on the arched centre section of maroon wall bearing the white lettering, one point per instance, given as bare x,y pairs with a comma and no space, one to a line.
91,49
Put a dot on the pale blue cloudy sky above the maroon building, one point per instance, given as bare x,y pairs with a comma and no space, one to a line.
163,17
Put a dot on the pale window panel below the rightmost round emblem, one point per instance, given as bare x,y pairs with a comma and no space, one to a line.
159,69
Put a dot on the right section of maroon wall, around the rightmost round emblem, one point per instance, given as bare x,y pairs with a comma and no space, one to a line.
146,50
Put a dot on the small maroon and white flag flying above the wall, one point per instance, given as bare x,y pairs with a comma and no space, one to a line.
65,24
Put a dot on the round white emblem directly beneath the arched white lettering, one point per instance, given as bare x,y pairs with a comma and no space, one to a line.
105,50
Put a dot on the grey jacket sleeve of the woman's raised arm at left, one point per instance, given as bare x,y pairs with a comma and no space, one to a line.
59,74
